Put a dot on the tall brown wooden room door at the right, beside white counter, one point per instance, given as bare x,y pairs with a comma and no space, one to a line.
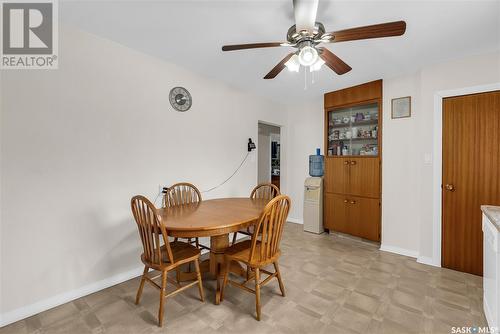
471,176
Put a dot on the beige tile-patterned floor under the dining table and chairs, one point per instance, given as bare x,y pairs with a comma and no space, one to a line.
333,284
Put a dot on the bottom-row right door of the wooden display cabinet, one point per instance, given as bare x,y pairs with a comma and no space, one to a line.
364,217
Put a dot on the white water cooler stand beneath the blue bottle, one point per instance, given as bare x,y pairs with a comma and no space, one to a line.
313,205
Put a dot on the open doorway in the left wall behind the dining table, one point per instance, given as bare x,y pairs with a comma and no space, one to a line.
269,154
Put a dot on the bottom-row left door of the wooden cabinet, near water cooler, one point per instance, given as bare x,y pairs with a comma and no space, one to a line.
335,209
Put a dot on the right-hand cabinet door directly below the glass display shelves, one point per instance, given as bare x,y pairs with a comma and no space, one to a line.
364,177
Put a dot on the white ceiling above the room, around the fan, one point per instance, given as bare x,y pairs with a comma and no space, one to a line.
191,33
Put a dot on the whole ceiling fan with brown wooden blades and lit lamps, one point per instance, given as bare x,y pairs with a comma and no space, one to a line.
306,35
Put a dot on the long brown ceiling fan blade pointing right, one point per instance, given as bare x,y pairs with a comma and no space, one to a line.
397,28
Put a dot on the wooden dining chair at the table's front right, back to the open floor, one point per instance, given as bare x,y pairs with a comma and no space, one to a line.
262,250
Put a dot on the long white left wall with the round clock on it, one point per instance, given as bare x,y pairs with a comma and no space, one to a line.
80,141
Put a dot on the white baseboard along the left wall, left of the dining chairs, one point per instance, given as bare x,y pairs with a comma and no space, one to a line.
46,304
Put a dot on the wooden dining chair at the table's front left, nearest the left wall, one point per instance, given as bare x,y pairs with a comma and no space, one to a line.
160,254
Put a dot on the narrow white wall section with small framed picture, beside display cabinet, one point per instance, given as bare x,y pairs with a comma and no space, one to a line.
400,159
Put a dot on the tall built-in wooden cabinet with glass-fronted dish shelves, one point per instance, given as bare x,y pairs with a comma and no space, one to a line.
352,180
